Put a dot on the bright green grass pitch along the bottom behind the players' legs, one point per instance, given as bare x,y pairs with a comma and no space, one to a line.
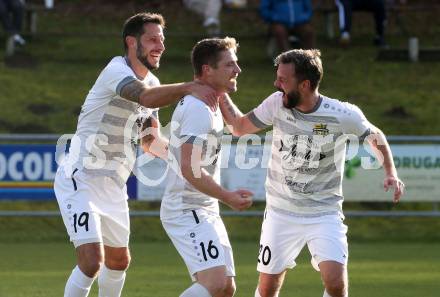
375,269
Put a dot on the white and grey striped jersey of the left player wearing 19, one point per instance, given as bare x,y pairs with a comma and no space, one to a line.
109,125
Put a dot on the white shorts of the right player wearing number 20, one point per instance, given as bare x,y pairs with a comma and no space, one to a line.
283,237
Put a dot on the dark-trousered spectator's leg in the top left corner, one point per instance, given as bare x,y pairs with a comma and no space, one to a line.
11,15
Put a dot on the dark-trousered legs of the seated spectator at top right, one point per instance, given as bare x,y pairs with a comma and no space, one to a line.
346,8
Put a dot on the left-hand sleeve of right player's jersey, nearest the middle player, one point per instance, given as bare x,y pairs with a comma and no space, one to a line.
262,116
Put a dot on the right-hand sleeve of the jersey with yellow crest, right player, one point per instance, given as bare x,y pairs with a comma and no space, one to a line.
356,123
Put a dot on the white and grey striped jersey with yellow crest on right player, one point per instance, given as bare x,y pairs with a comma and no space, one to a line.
305,171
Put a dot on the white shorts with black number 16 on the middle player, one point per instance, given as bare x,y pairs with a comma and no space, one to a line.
201,240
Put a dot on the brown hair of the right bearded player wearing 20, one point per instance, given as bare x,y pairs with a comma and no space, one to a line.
308,65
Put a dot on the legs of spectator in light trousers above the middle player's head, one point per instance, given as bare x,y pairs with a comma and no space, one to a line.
210,10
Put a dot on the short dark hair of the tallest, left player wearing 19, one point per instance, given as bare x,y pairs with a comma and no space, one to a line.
134,25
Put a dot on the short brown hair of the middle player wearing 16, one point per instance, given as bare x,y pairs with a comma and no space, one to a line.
207,51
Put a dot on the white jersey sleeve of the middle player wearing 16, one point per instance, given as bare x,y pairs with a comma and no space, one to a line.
196,122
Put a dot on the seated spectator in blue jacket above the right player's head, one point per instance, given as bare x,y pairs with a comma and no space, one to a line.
287,17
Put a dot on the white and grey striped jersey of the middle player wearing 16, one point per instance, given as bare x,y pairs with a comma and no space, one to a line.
192,122
